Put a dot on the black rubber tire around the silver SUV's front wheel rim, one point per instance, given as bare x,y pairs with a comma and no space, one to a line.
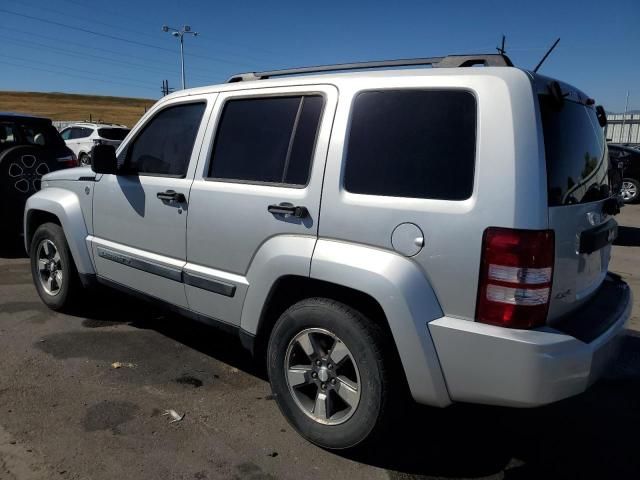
69,289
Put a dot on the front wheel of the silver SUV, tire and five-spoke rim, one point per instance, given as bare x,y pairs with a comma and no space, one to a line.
54,273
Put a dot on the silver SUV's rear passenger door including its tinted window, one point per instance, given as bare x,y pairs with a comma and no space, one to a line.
265,156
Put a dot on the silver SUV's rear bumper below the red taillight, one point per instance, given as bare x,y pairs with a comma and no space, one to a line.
526,368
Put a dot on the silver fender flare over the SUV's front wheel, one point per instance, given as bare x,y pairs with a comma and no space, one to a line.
65,205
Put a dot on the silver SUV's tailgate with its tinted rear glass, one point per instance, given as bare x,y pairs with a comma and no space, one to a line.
578,187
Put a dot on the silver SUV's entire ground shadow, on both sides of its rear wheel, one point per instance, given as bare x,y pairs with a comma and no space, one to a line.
588,436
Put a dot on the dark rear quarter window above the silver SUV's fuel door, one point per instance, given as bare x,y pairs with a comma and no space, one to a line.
412,143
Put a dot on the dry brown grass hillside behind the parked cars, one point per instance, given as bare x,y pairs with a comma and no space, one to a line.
63,106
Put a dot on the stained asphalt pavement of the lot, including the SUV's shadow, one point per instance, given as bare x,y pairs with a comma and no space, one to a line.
82,396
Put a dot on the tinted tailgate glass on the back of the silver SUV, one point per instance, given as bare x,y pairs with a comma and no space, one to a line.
577,166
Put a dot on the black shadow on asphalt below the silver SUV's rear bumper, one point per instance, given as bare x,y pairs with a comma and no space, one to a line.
589,436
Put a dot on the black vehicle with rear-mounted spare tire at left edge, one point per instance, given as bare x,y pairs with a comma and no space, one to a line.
30,147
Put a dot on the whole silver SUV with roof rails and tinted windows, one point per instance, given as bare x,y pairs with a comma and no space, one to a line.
441,233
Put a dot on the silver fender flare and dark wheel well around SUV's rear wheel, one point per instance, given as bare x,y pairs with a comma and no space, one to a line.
385,286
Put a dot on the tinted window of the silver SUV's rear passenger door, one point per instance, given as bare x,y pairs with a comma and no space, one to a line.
267,139
